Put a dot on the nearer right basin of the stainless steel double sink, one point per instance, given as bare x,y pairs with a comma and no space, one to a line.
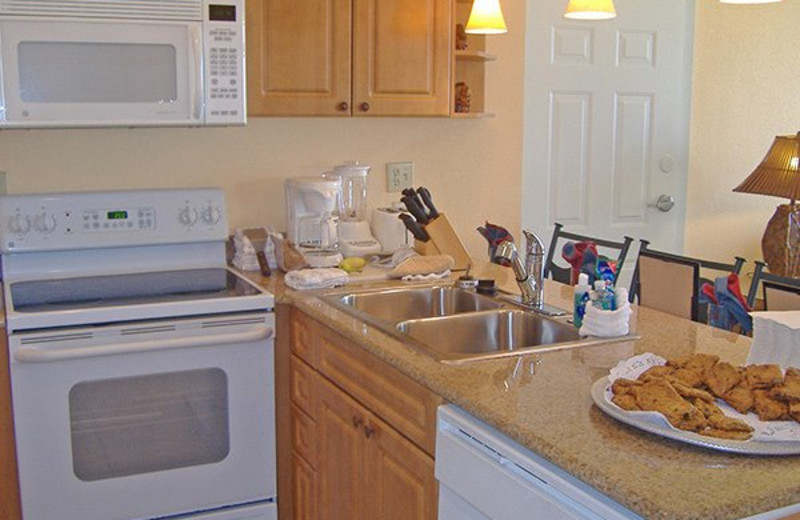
489,333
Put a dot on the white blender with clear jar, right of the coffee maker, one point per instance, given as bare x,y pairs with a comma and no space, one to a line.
355,237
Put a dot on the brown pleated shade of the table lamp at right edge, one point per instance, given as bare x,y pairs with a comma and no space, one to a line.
779,172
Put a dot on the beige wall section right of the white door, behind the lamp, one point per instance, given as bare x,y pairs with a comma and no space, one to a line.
746,84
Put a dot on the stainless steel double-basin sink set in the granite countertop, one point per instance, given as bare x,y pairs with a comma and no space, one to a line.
455,325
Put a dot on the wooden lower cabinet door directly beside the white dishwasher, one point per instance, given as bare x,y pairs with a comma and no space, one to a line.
400,482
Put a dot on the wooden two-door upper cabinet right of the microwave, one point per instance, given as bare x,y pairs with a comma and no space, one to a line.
349,57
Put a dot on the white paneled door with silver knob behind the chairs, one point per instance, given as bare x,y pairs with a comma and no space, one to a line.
607,121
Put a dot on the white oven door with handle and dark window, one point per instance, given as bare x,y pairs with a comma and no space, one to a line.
146,419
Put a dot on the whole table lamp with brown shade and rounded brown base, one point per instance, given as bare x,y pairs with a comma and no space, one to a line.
779,175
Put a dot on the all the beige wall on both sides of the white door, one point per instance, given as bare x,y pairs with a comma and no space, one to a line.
745,92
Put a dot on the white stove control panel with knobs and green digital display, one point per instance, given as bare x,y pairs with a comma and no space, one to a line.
63,221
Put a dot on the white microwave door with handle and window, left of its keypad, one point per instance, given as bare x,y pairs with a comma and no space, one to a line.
100,73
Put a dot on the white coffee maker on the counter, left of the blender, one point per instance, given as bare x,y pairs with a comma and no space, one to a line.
311,207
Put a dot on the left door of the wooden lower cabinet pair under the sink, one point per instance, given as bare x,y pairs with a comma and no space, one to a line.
341,442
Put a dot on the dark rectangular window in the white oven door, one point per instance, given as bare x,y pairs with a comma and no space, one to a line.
143,424
